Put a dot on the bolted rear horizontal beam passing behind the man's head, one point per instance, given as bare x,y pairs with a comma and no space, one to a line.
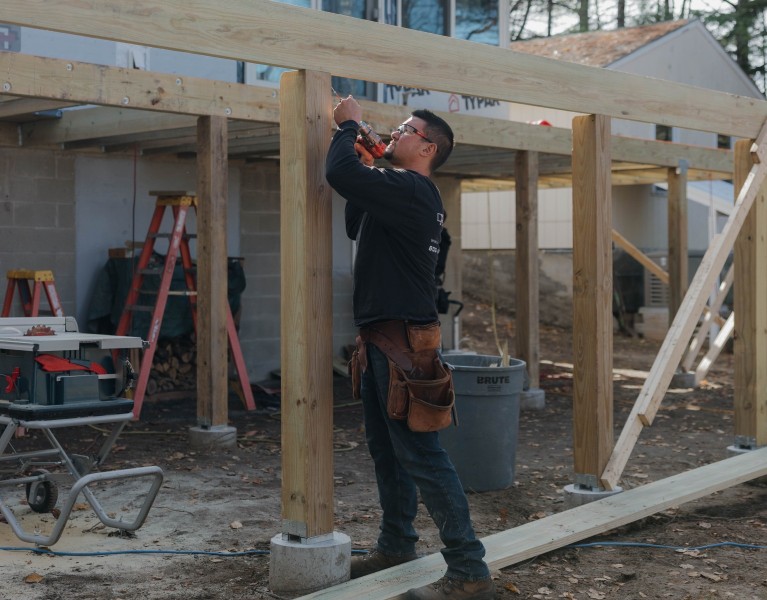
42,79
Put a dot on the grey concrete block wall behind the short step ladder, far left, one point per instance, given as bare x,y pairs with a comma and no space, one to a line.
37,219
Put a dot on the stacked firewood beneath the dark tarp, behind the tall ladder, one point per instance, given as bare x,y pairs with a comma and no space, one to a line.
175,366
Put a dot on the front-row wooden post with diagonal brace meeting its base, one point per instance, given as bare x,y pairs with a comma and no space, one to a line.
592,299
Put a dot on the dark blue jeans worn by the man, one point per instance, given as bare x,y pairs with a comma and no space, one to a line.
405,459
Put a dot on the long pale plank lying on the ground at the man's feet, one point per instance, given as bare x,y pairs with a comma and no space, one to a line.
535,538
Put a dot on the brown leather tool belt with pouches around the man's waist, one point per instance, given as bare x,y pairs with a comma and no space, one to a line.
420,385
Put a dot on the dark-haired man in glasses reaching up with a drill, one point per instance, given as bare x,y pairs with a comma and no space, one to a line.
396,217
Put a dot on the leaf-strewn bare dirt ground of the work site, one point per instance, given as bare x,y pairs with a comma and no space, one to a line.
229,501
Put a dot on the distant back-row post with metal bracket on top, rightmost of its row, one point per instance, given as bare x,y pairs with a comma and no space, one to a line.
677,237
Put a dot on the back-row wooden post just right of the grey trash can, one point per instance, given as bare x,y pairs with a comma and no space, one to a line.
527,272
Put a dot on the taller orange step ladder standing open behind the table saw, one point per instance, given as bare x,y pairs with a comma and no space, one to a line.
180,203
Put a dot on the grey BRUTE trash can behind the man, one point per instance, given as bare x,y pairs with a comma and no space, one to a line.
483,447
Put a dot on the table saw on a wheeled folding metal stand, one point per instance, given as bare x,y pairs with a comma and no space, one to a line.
52,376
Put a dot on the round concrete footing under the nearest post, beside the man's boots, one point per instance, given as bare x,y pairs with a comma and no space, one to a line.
298,568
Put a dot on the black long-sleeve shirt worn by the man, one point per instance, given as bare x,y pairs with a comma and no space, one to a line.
396,217
